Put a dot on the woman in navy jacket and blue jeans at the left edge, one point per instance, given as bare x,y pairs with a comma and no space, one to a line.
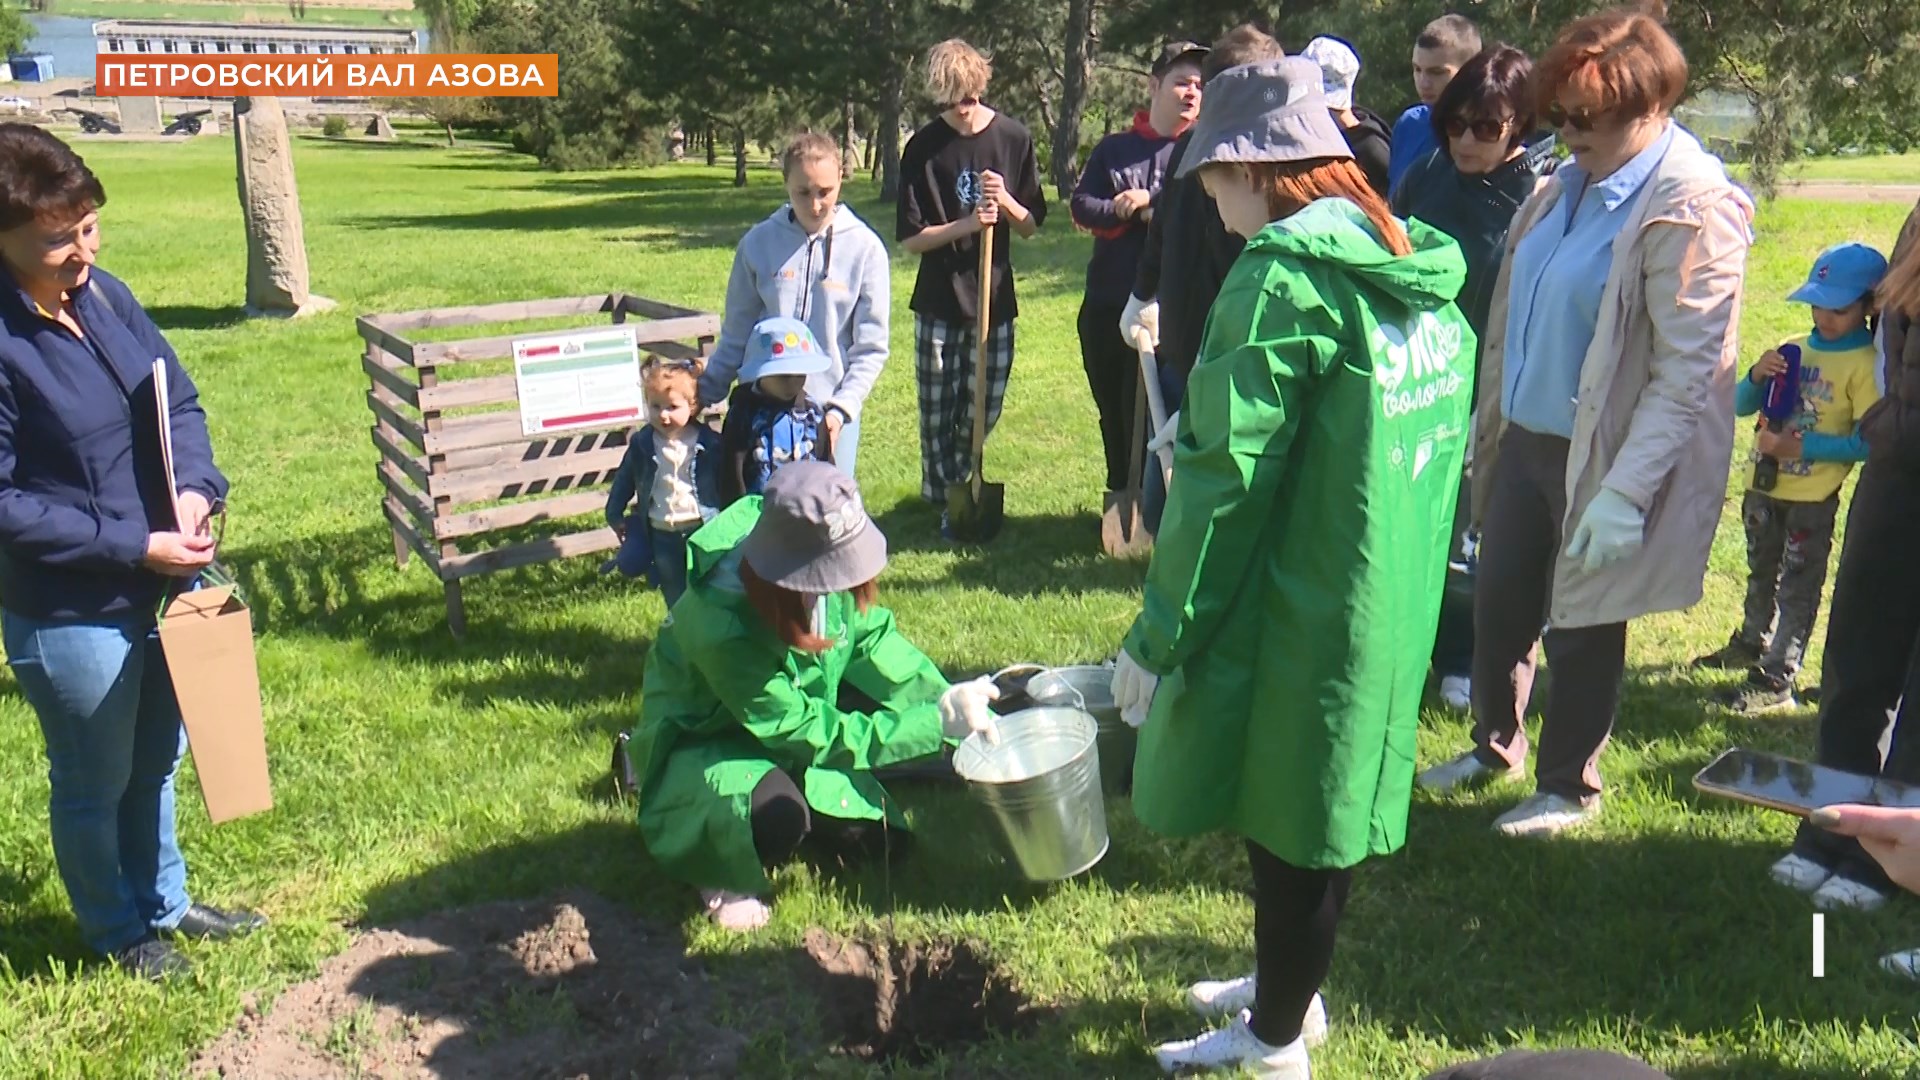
89,551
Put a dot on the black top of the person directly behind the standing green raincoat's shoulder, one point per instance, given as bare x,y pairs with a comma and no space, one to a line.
1186,262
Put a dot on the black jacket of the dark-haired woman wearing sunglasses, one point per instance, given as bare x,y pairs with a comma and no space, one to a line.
1476,212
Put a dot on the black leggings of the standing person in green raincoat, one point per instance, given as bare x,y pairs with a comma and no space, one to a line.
1295,918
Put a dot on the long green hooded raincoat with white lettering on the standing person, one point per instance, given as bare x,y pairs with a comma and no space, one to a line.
1297,579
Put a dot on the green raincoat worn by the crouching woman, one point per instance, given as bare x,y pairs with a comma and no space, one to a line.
727,702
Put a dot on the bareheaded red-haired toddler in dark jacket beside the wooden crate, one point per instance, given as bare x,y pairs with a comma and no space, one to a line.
673,466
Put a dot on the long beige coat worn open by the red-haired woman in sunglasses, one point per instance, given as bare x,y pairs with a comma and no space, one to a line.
1656,408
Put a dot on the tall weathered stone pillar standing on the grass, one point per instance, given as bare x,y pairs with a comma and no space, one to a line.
270,201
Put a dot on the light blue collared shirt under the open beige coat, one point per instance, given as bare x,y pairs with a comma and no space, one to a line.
1560,274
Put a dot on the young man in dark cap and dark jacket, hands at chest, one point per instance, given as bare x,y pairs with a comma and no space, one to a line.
1115,201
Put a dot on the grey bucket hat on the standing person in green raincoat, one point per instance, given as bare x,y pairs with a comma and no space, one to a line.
1274,110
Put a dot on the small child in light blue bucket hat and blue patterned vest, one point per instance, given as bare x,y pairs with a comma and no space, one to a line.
769,418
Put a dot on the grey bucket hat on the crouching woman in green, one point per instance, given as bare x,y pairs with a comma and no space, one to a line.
815,533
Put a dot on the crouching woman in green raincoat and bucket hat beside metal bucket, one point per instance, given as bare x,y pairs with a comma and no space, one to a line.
746,743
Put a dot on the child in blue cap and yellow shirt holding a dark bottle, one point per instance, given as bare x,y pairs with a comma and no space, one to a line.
1790,528
